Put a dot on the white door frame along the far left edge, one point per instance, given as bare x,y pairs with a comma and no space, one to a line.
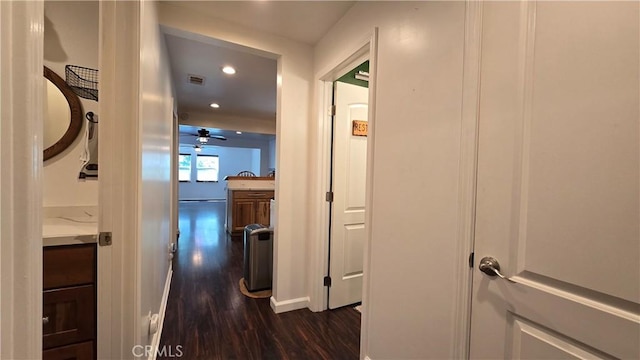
21,109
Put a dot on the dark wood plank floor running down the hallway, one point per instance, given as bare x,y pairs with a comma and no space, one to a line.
210,319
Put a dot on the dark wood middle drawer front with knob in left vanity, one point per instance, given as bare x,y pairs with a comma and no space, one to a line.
68,316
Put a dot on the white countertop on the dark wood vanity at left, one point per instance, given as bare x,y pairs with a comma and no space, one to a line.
69,230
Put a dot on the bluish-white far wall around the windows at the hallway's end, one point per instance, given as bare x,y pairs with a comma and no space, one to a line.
232,160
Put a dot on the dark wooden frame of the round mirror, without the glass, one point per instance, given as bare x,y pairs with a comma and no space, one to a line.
75,123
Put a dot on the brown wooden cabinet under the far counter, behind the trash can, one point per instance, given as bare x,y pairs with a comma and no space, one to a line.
247,207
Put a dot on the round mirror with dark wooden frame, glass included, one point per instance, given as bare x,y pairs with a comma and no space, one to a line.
62,115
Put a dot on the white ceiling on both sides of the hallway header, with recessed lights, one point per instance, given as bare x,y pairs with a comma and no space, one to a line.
251,92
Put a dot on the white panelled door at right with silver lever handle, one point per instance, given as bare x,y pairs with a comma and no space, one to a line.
558,182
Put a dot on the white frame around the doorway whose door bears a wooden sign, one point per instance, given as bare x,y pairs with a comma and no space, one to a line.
320,252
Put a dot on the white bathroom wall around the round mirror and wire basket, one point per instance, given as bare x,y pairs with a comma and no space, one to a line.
71,37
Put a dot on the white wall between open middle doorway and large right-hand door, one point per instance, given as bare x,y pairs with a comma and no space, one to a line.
410,302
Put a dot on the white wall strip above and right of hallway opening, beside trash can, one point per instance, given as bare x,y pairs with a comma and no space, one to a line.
293,97
